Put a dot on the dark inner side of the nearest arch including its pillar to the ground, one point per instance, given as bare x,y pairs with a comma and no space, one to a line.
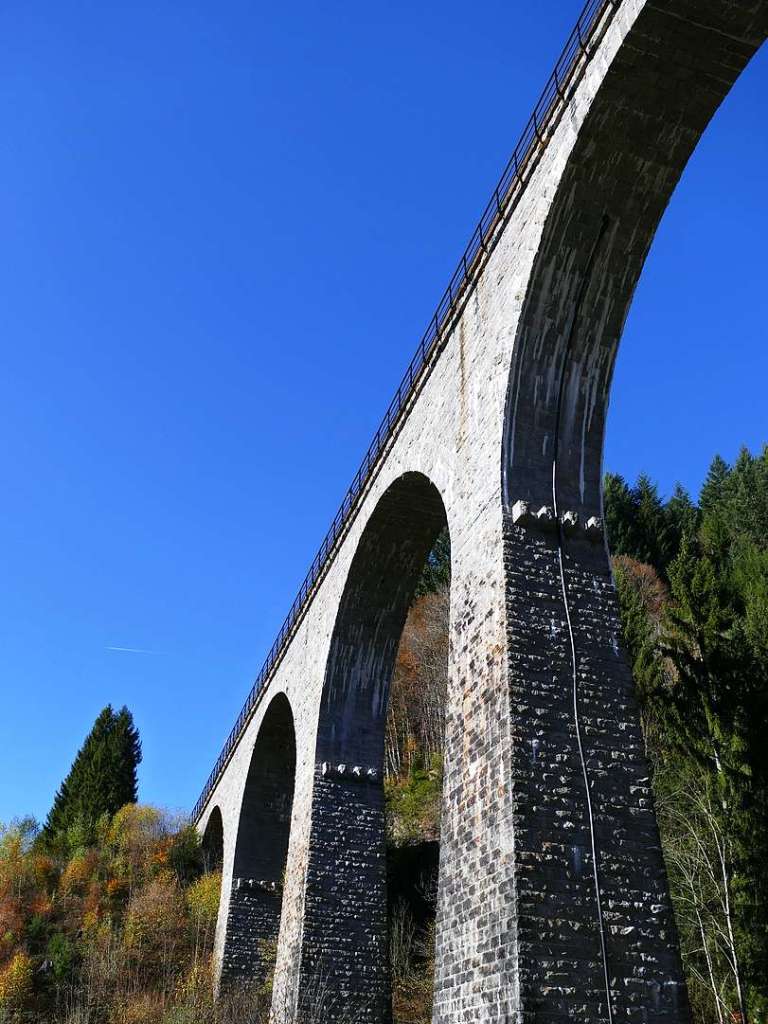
636,121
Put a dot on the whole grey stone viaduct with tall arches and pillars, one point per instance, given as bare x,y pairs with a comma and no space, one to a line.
553,904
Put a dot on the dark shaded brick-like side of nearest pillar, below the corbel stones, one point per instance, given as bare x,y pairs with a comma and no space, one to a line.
561,958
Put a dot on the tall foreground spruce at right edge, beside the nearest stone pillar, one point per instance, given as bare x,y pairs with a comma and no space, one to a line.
716,712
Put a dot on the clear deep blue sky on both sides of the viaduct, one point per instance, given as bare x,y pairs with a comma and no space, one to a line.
224,229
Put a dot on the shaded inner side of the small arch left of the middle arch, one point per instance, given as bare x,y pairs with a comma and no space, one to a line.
262,849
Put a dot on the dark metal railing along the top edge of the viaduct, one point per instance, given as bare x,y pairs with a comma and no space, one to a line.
511,183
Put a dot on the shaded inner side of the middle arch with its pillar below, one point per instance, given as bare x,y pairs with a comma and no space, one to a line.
345,950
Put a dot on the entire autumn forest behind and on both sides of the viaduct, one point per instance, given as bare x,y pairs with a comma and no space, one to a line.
108,910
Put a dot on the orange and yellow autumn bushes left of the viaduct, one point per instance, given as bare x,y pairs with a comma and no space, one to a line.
118,927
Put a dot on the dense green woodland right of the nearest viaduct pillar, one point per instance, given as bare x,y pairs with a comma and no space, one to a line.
702,670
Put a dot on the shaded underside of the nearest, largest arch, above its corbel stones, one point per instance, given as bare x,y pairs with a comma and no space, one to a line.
674,67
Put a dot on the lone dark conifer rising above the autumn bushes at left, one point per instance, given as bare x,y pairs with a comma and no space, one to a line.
103,777
